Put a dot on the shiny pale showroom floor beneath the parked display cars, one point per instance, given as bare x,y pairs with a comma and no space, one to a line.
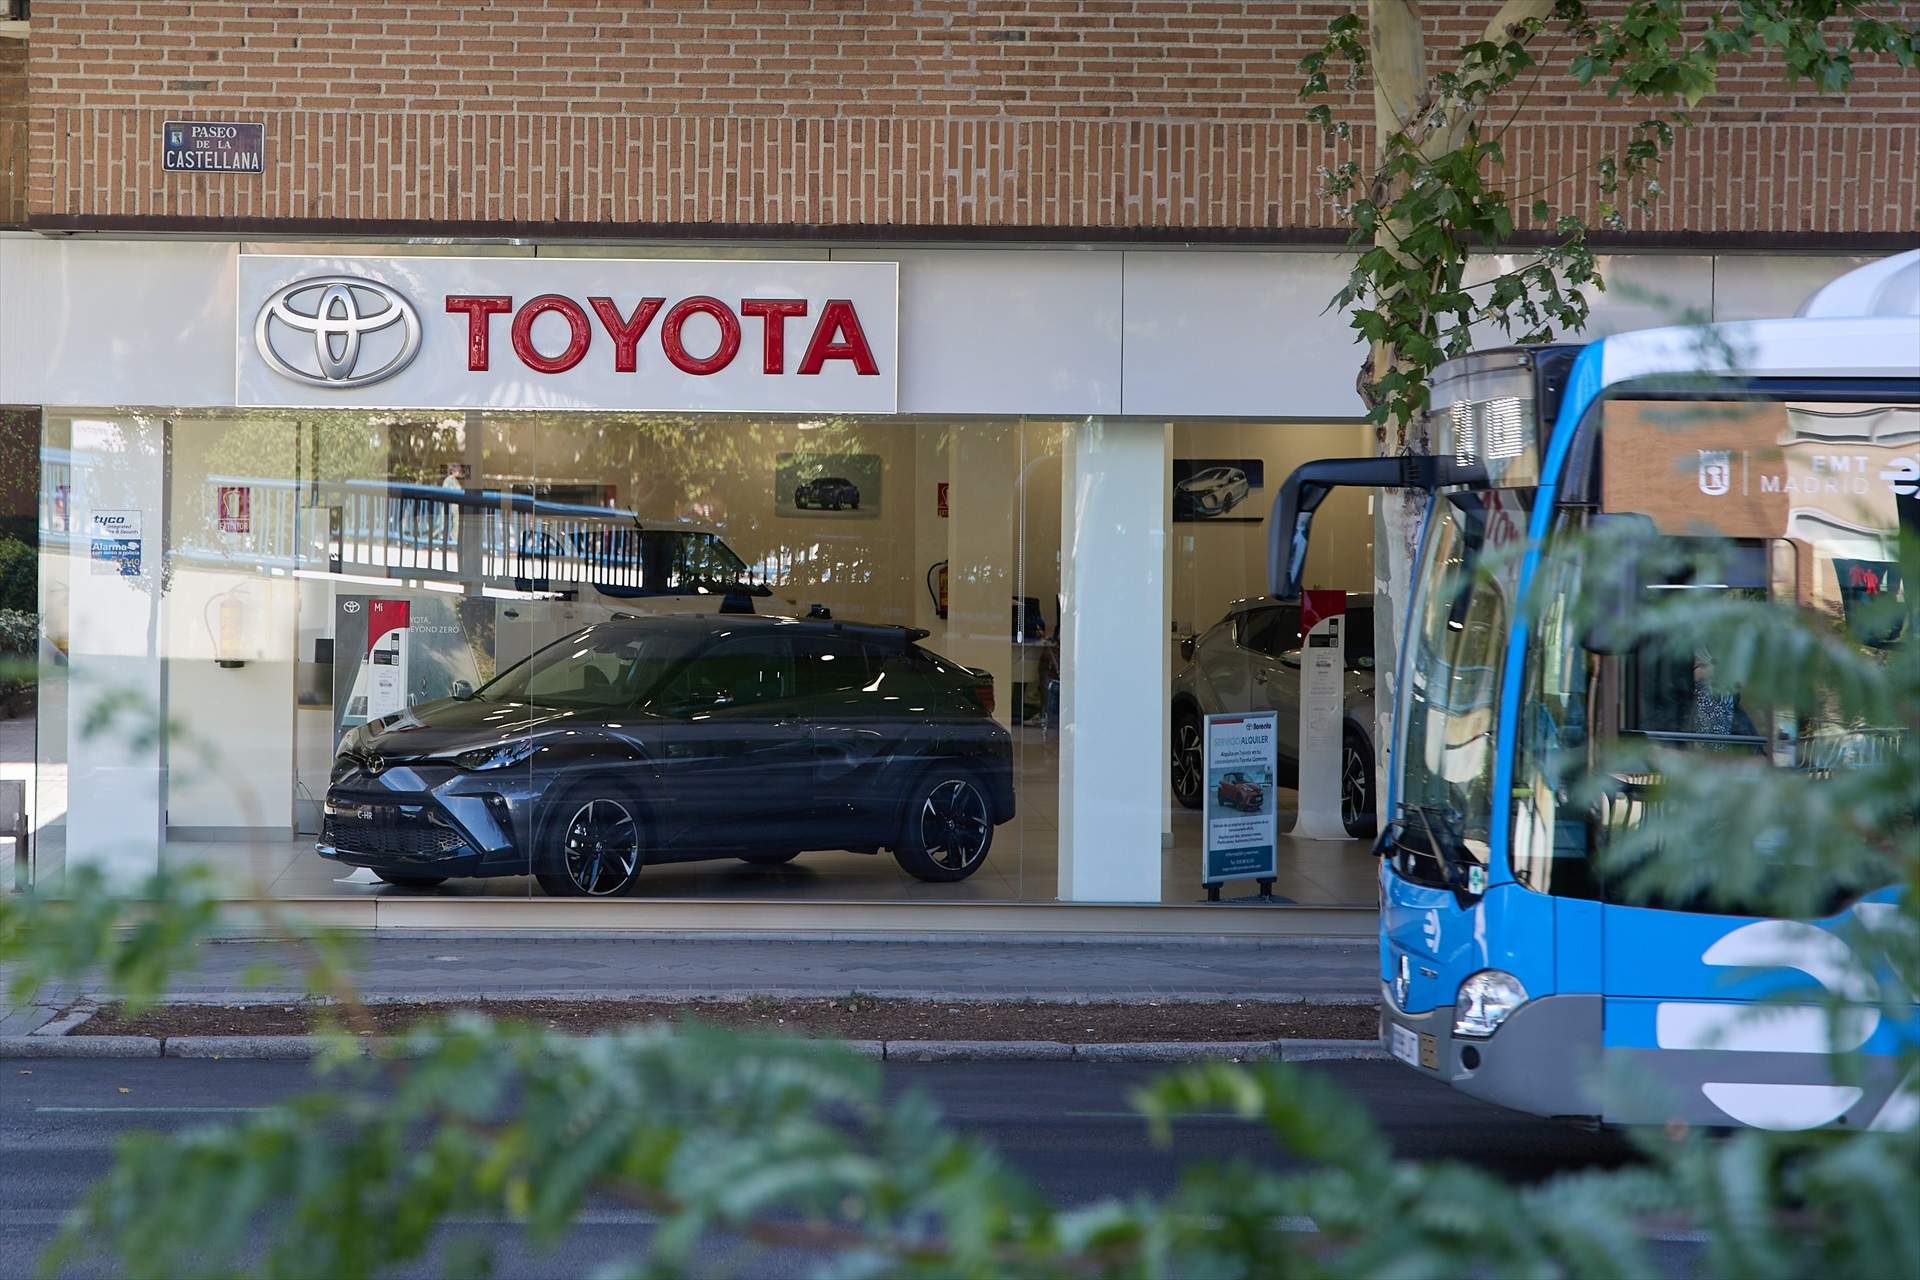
1022,866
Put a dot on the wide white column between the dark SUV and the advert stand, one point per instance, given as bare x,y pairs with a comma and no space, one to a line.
1113,659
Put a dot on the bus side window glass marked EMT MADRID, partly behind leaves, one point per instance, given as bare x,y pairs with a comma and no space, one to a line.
1796,504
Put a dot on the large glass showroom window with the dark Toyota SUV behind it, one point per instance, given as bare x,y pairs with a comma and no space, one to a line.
562,653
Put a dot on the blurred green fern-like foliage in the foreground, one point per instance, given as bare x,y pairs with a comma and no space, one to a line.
732,1145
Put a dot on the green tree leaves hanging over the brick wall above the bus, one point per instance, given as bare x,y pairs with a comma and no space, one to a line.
1439,191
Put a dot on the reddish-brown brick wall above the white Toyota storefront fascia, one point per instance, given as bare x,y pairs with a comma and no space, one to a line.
1103,116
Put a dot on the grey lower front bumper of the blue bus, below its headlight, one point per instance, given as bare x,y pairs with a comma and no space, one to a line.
1543,1058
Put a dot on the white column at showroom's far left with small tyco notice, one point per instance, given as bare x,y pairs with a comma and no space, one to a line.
116,772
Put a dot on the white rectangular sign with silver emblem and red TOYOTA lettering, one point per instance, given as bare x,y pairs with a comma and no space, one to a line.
516,333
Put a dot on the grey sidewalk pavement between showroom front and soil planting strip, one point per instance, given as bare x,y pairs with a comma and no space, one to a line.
684,968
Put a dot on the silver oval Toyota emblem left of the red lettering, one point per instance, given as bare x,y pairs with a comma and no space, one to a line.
337,331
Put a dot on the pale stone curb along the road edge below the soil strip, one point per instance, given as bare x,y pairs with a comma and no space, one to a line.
302,1049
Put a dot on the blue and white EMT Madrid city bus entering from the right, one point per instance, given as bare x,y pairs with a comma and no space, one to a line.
1512,966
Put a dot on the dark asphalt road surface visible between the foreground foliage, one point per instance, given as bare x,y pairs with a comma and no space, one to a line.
1067,1126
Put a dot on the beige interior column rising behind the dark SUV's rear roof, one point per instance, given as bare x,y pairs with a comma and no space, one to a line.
984,498
